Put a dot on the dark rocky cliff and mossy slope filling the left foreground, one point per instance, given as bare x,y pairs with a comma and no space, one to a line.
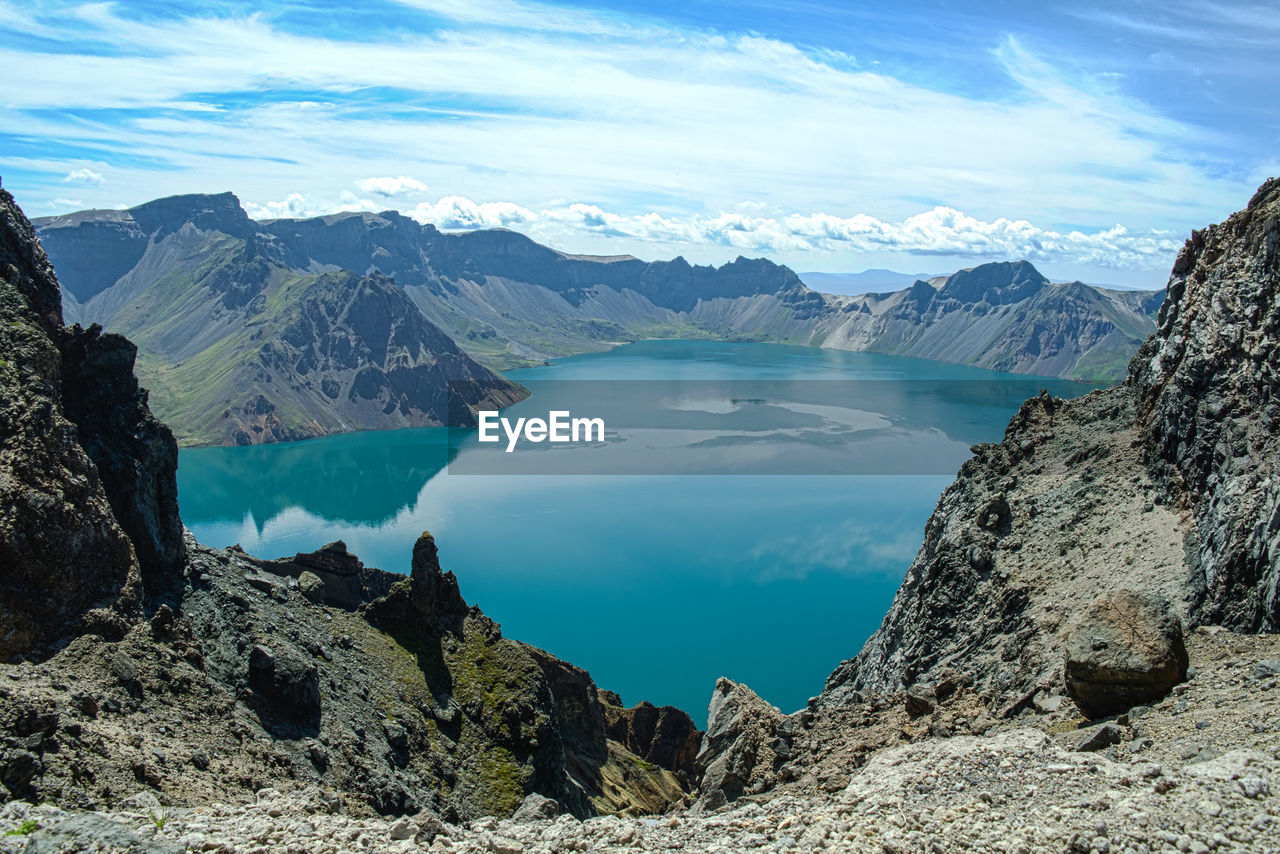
144,661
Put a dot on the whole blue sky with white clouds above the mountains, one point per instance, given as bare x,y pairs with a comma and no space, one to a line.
829,136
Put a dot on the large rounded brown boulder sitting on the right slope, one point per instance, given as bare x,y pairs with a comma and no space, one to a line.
1127,651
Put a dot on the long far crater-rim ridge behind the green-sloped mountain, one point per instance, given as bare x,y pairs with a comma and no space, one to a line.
513,303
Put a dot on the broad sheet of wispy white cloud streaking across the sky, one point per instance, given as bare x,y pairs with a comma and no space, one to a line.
653,134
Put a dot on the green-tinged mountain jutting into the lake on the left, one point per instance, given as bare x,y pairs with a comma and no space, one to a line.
240,349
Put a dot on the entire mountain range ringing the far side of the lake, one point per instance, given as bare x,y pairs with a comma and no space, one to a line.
268,331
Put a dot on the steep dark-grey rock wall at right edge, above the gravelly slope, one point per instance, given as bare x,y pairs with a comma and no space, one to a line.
1209,386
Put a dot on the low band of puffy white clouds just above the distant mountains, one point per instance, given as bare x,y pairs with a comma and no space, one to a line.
940,231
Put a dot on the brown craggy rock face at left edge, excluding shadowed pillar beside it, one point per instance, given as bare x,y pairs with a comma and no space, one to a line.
67,564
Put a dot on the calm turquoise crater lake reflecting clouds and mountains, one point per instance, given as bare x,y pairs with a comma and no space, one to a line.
747,565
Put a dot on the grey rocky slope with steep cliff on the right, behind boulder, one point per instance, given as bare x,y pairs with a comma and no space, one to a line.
1164,486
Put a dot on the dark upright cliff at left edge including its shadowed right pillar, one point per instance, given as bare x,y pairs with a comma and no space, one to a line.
92,501
